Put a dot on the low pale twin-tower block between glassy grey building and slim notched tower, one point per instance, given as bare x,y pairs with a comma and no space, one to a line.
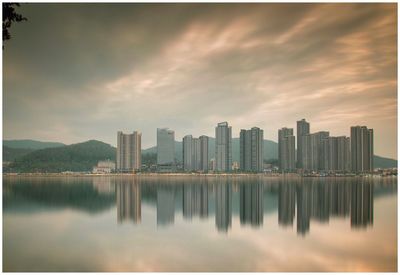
195,153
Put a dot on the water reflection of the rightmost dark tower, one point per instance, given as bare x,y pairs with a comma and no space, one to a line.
362,204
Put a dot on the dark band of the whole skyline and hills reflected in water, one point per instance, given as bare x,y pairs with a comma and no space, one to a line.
303,199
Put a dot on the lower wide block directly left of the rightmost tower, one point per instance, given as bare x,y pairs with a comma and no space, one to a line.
336,153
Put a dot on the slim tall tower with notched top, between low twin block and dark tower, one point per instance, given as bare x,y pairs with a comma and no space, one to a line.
223,147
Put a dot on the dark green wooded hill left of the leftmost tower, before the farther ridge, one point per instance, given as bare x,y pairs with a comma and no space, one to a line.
74,157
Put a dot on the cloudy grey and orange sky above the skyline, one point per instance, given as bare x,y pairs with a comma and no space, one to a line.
75,72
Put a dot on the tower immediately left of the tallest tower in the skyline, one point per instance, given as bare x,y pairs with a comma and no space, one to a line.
286,149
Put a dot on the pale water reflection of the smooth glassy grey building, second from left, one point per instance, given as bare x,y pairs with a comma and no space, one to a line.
165,206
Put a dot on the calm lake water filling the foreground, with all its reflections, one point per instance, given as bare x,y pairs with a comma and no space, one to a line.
199,224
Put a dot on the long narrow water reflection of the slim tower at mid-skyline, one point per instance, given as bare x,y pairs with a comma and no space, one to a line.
223,206
